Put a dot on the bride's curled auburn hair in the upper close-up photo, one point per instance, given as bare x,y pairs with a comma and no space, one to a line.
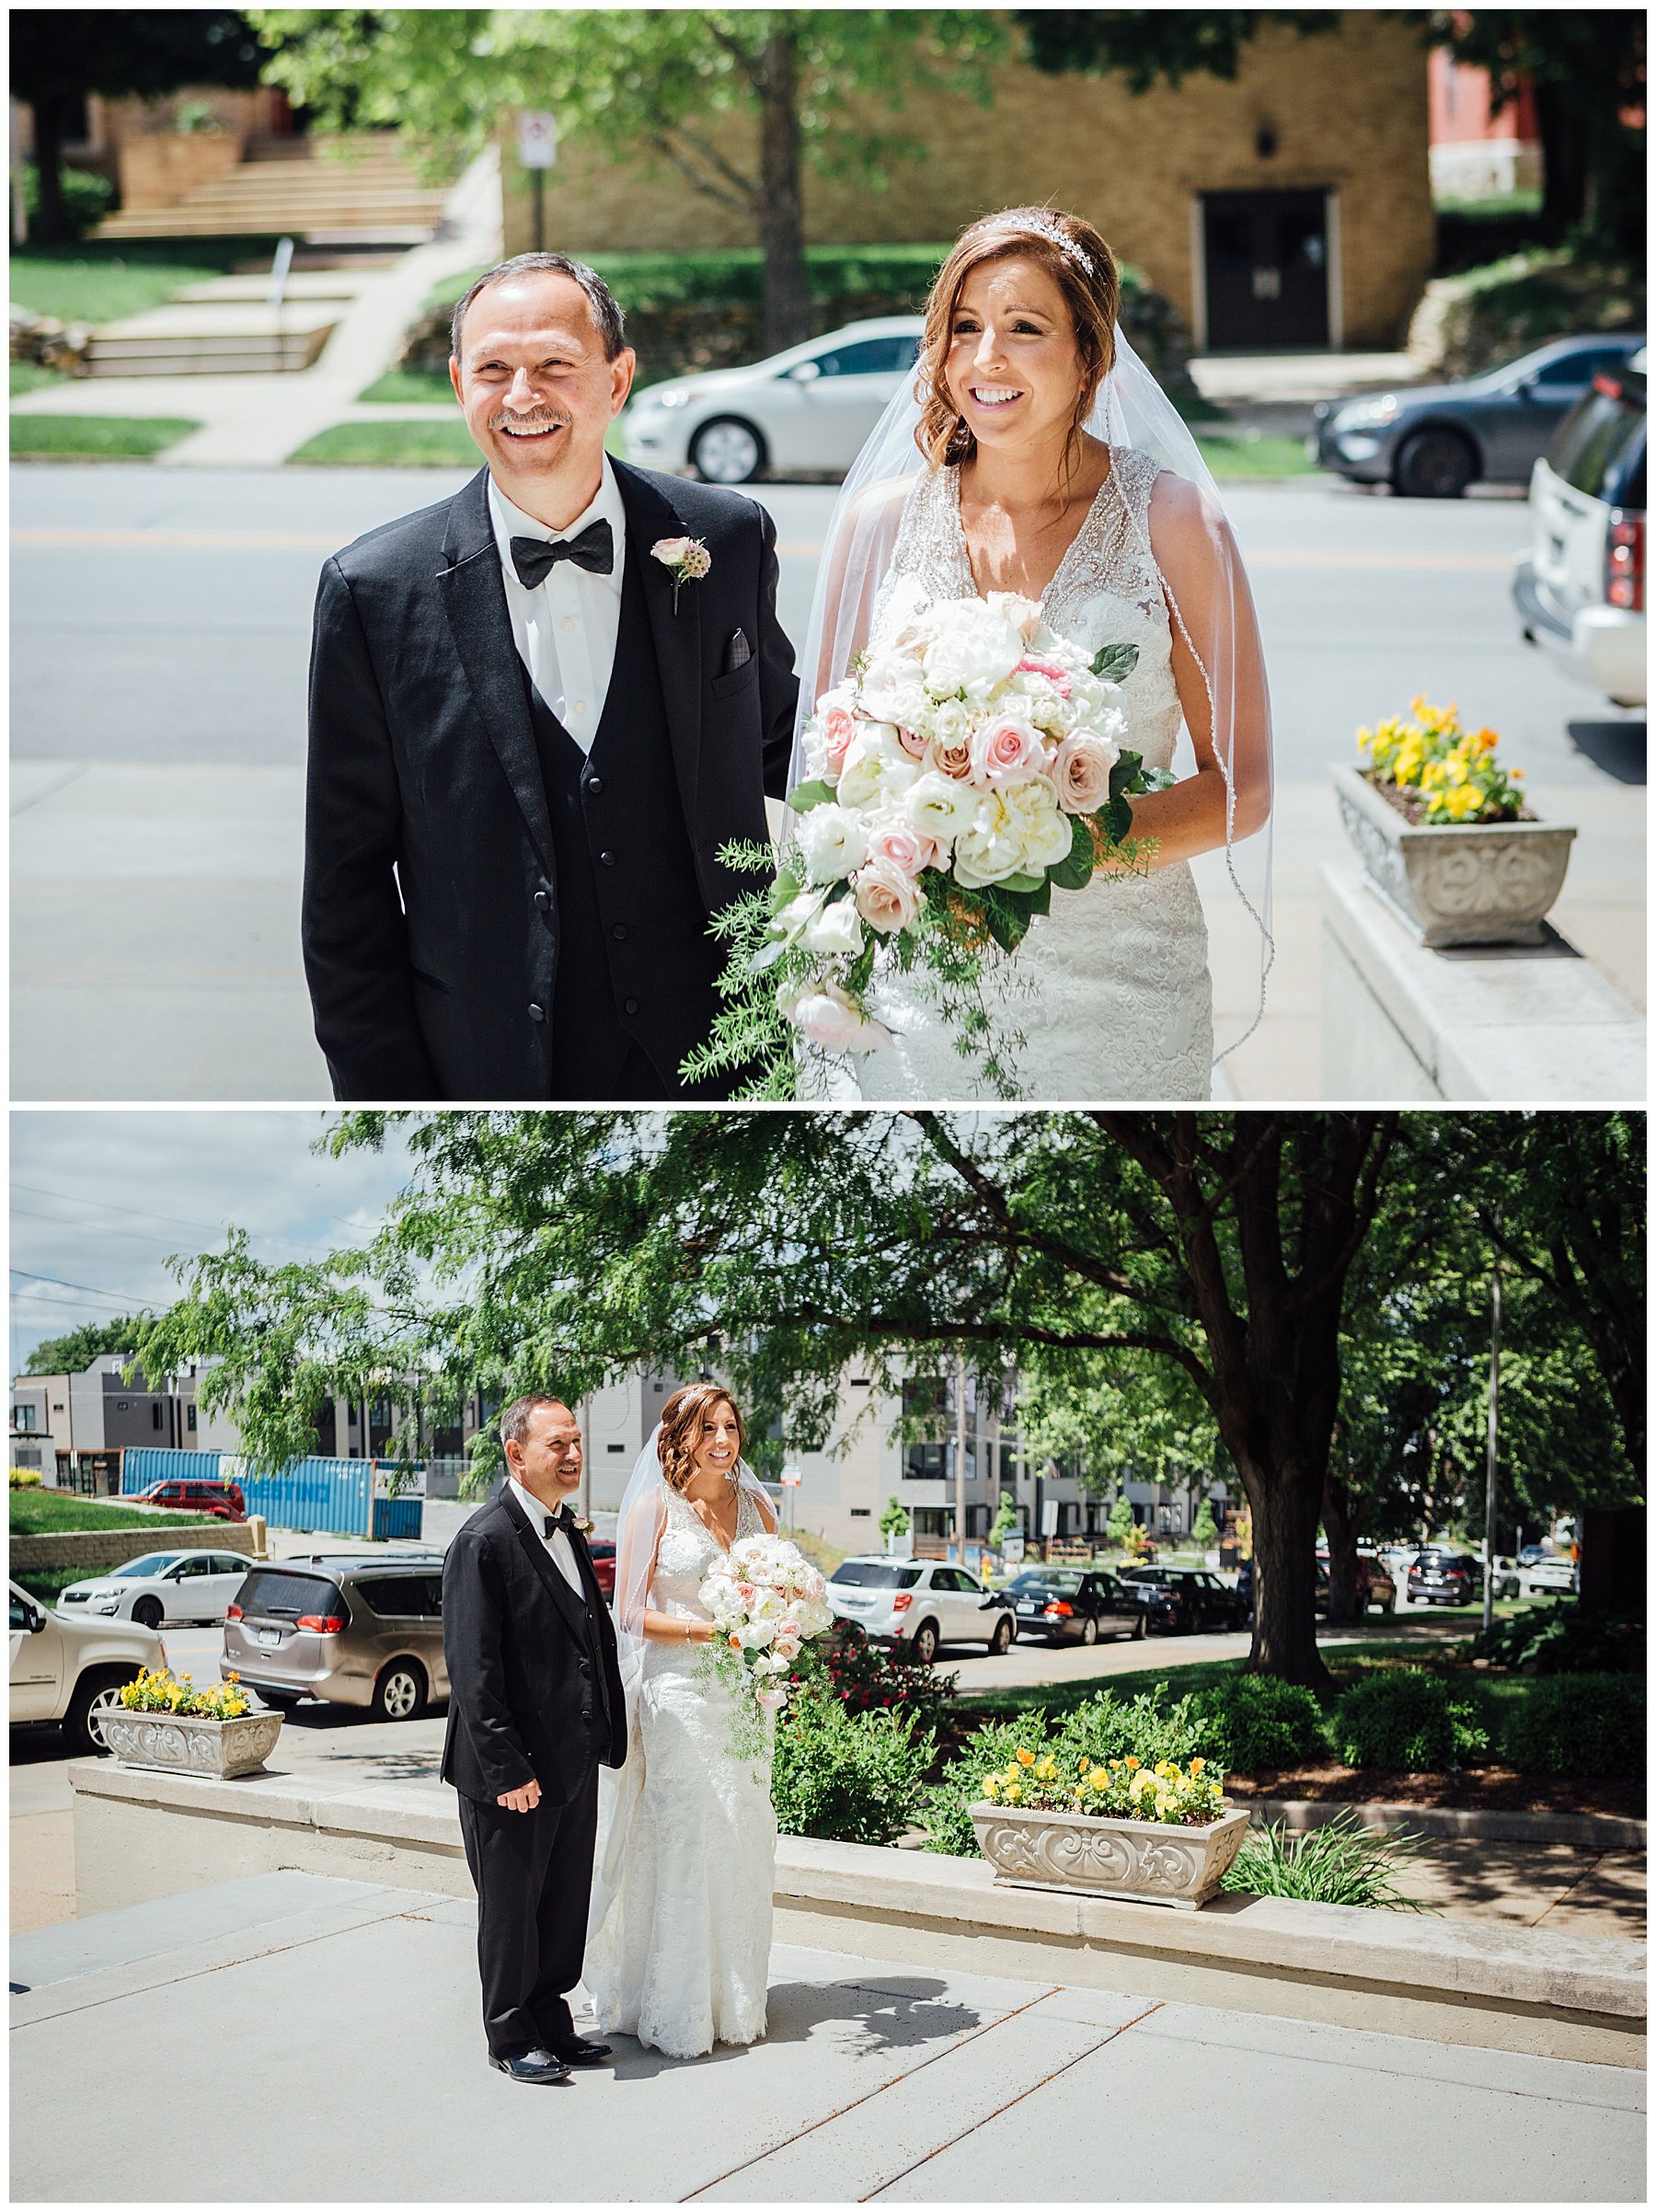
1082,267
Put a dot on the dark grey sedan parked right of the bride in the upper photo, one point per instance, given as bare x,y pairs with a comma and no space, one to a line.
1434,441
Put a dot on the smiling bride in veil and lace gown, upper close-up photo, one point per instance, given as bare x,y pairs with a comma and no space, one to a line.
1056,468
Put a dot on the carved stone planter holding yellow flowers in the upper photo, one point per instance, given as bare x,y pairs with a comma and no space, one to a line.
1456,884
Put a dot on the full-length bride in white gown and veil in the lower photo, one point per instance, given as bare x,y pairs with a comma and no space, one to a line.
678,1943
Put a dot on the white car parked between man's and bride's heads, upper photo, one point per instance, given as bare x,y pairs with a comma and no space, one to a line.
808,408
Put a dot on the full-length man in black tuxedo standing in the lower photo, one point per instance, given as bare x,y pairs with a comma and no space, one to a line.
536,1709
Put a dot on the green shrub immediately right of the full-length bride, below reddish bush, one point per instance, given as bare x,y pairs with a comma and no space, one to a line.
848,1780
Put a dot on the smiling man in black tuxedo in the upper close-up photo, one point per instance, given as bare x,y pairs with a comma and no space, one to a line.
530,735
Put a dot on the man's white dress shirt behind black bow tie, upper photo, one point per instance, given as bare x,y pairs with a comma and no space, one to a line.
565,629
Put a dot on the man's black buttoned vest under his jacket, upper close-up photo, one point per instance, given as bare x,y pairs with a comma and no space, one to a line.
636,966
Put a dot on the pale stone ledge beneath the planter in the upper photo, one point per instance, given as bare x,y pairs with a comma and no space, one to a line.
1476,1023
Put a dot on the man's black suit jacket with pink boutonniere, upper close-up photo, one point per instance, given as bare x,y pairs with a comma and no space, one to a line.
430,915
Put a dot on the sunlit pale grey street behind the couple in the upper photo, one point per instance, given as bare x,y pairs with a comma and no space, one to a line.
158,665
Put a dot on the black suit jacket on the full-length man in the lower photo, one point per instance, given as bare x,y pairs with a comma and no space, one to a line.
534,1680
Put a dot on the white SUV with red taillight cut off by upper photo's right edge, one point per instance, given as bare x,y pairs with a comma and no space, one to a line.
1580,589
